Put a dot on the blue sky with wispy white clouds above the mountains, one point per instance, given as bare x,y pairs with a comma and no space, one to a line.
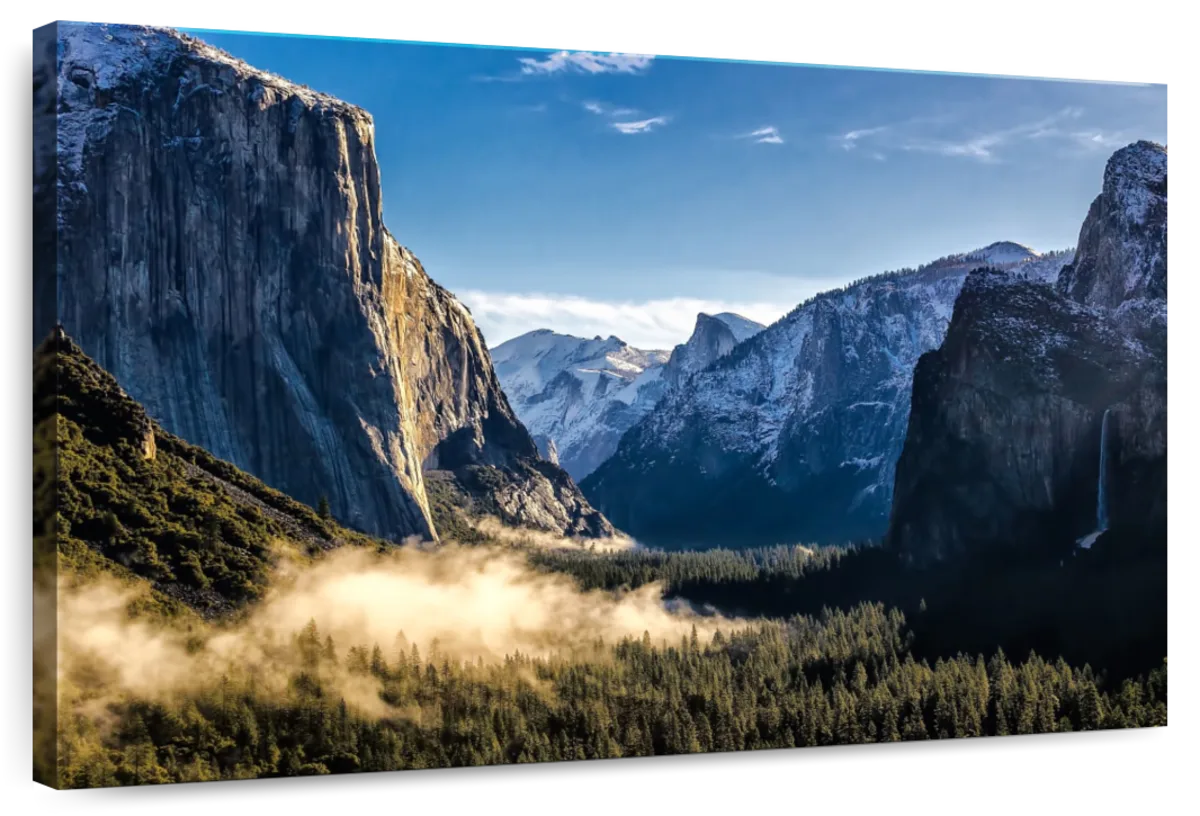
607,195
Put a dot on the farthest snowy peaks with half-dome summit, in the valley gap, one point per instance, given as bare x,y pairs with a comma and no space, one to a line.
580,397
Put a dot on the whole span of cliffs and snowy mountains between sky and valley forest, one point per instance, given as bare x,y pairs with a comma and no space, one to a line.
219,248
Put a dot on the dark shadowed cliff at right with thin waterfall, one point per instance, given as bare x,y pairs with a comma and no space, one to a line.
1007,439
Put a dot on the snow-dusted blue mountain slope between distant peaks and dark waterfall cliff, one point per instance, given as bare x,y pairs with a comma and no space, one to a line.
794,435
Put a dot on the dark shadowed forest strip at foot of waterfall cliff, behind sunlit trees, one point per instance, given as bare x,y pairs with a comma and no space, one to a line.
1105,607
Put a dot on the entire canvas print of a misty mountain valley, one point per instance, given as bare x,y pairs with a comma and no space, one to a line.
409,406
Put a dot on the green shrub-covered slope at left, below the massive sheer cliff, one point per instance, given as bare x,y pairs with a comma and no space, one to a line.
197,529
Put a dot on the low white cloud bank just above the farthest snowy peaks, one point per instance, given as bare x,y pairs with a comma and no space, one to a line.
652,325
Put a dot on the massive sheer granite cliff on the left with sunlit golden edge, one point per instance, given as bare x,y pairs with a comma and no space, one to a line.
223,254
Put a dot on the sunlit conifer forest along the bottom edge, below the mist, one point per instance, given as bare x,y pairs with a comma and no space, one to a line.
833,680
